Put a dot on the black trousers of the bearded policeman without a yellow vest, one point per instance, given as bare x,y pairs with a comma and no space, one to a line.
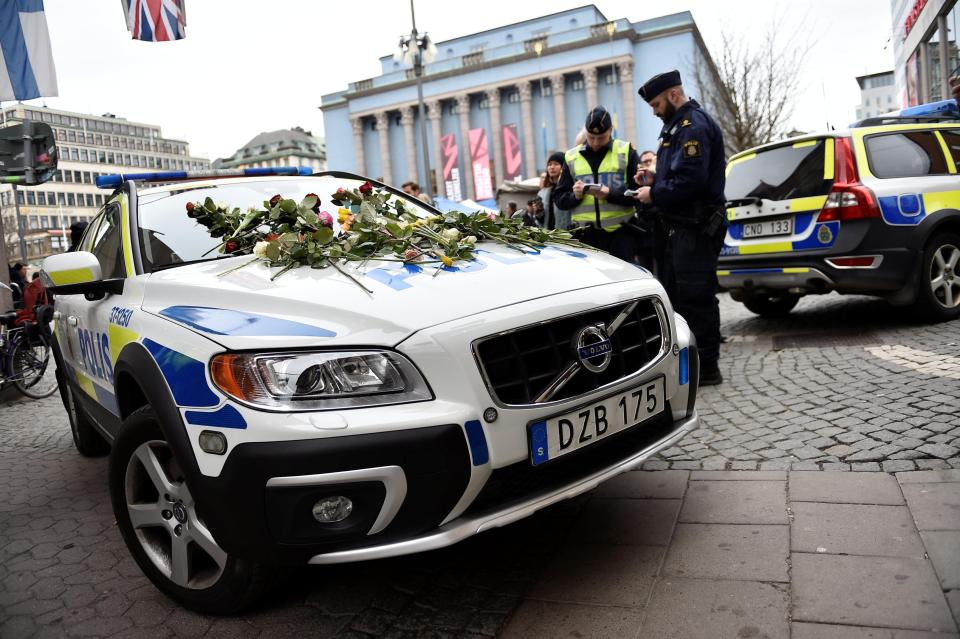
689,273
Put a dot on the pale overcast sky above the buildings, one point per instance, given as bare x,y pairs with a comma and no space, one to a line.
248,66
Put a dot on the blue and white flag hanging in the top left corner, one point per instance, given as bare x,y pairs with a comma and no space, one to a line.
26,60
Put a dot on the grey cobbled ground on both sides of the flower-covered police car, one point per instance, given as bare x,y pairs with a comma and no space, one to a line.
843,384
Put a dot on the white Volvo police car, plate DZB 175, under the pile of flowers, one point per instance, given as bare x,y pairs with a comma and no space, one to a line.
253,422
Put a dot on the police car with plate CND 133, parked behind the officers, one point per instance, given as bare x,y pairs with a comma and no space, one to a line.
873,210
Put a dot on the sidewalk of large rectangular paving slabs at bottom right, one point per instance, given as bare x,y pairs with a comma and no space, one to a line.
713,554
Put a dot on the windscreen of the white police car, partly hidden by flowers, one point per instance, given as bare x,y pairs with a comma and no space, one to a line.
169,237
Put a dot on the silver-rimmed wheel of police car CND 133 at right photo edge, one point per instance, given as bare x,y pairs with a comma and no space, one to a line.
939,281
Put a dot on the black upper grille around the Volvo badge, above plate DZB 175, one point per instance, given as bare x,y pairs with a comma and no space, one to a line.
519,365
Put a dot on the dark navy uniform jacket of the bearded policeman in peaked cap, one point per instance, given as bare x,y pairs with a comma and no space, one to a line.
690,163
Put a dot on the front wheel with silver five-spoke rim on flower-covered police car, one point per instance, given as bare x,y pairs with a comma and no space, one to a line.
169,541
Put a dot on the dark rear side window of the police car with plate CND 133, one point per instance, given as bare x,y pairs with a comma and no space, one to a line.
906,154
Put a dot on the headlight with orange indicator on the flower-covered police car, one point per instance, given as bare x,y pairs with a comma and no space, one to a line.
318,381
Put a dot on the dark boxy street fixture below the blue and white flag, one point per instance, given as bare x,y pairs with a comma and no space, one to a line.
28,153
